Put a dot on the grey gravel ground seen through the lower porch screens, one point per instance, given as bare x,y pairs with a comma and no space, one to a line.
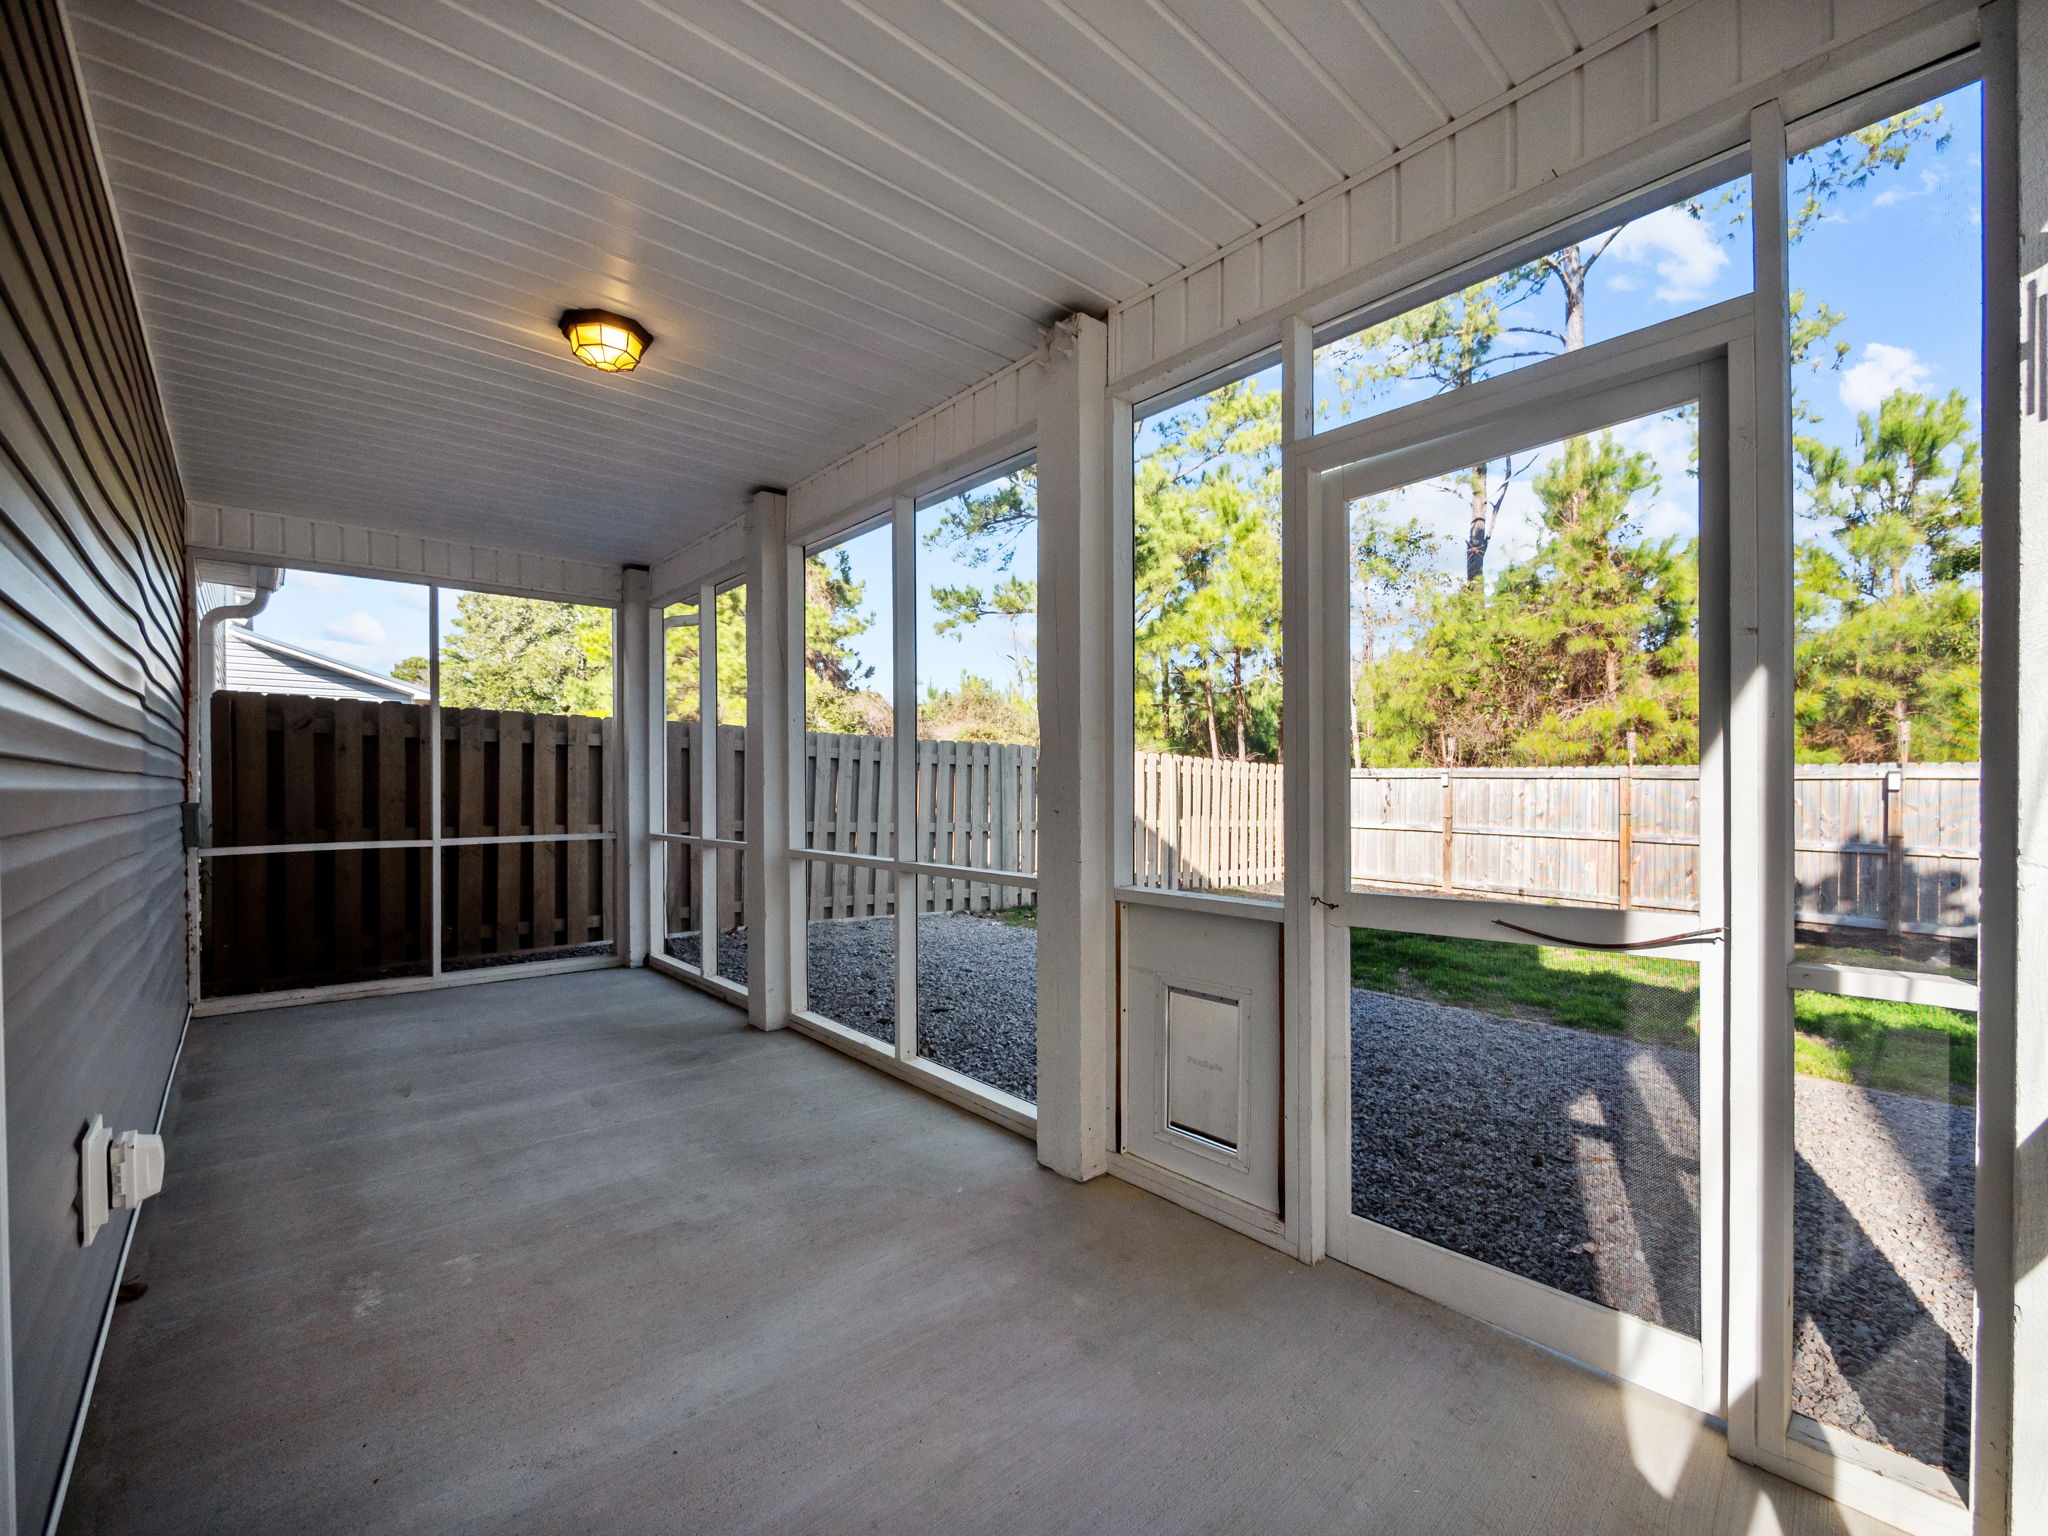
1564,1156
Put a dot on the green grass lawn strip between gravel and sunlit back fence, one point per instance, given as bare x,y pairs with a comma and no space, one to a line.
1897,1048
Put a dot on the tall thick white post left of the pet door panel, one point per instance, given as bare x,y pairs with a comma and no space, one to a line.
1076,910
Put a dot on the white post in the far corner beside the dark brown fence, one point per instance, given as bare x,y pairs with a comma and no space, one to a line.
638,703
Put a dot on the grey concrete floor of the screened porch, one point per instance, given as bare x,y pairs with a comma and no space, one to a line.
585,1254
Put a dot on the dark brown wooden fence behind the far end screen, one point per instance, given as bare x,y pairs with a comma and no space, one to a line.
286,769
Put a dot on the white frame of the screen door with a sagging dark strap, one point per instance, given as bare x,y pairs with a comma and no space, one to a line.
1637,376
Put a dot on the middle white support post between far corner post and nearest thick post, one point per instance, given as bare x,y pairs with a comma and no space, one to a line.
773,677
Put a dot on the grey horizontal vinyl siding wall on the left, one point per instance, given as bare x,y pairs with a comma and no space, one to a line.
91,726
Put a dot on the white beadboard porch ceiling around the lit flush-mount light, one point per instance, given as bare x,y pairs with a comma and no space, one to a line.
353,224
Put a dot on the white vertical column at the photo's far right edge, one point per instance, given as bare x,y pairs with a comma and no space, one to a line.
2010,1457
